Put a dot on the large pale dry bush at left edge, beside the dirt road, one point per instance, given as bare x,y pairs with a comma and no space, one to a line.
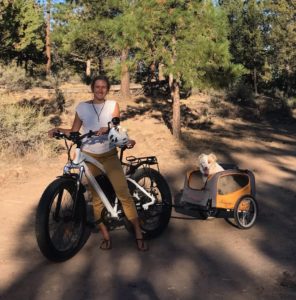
23,130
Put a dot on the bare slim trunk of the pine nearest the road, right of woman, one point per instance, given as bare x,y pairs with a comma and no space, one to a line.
175,92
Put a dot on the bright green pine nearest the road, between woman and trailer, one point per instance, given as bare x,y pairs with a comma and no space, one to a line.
189,38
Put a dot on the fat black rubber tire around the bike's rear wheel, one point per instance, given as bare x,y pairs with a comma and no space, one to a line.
166,197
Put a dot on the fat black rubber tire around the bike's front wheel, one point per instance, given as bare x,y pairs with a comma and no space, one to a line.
44,241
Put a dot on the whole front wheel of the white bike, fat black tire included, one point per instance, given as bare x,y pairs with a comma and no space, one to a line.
60,220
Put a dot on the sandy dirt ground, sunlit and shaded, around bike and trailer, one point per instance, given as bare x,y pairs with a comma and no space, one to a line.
193,259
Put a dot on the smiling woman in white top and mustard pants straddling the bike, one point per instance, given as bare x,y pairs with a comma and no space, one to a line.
94,115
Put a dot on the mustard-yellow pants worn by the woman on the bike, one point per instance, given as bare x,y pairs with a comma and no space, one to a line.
114,172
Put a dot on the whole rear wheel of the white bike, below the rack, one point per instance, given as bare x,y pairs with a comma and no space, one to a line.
155,219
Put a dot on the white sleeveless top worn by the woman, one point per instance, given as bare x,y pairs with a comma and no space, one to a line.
88,113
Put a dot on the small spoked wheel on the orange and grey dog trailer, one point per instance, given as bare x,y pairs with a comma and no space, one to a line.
246,212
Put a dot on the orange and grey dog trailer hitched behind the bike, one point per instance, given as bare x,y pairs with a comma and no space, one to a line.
230,193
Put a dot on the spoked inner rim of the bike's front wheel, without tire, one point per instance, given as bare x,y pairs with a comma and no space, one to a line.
64,230
